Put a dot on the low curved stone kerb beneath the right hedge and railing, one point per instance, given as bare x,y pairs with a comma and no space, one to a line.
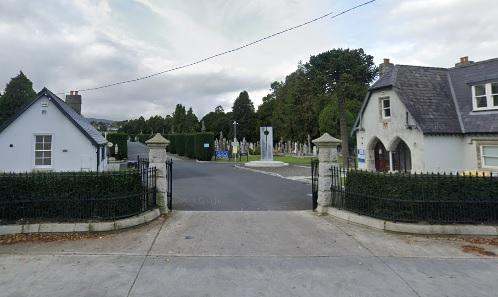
457,229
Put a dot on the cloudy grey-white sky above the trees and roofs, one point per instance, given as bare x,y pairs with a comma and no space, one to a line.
68,45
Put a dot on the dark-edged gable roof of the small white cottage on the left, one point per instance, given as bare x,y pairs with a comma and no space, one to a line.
78,120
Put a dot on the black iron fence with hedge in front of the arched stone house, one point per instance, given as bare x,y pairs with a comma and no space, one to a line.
429,198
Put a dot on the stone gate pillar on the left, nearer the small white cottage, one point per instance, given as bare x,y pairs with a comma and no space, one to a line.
157,158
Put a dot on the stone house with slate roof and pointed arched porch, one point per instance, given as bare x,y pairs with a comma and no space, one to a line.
430,119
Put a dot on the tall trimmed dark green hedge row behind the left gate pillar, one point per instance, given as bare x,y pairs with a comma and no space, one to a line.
198,146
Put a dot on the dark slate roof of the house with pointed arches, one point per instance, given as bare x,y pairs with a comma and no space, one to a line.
440,99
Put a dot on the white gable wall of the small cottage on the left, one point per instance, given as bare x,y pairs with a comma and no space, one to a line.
80,155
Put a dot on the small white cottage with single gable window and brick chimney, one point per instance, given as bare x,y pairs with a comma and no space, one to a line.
50,134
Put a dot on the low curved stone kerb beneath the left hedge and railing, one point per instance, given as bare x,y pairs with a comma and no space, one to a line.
140,219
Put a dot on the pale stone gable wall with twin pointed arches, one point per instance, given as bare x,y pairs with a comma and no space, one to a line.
388,130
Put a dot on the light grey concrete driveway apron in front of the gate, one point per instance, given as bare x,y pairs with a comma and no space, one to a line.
247,253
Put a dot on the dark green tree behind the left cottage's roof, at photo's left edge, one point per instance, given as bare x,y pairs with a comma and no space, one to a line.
18,92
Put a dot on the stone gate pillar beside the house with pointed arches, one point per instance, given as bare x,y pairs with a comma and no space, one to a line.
327,156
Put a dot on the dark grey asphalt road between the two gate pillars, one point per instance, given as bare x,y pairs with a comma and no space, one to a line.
216,186
